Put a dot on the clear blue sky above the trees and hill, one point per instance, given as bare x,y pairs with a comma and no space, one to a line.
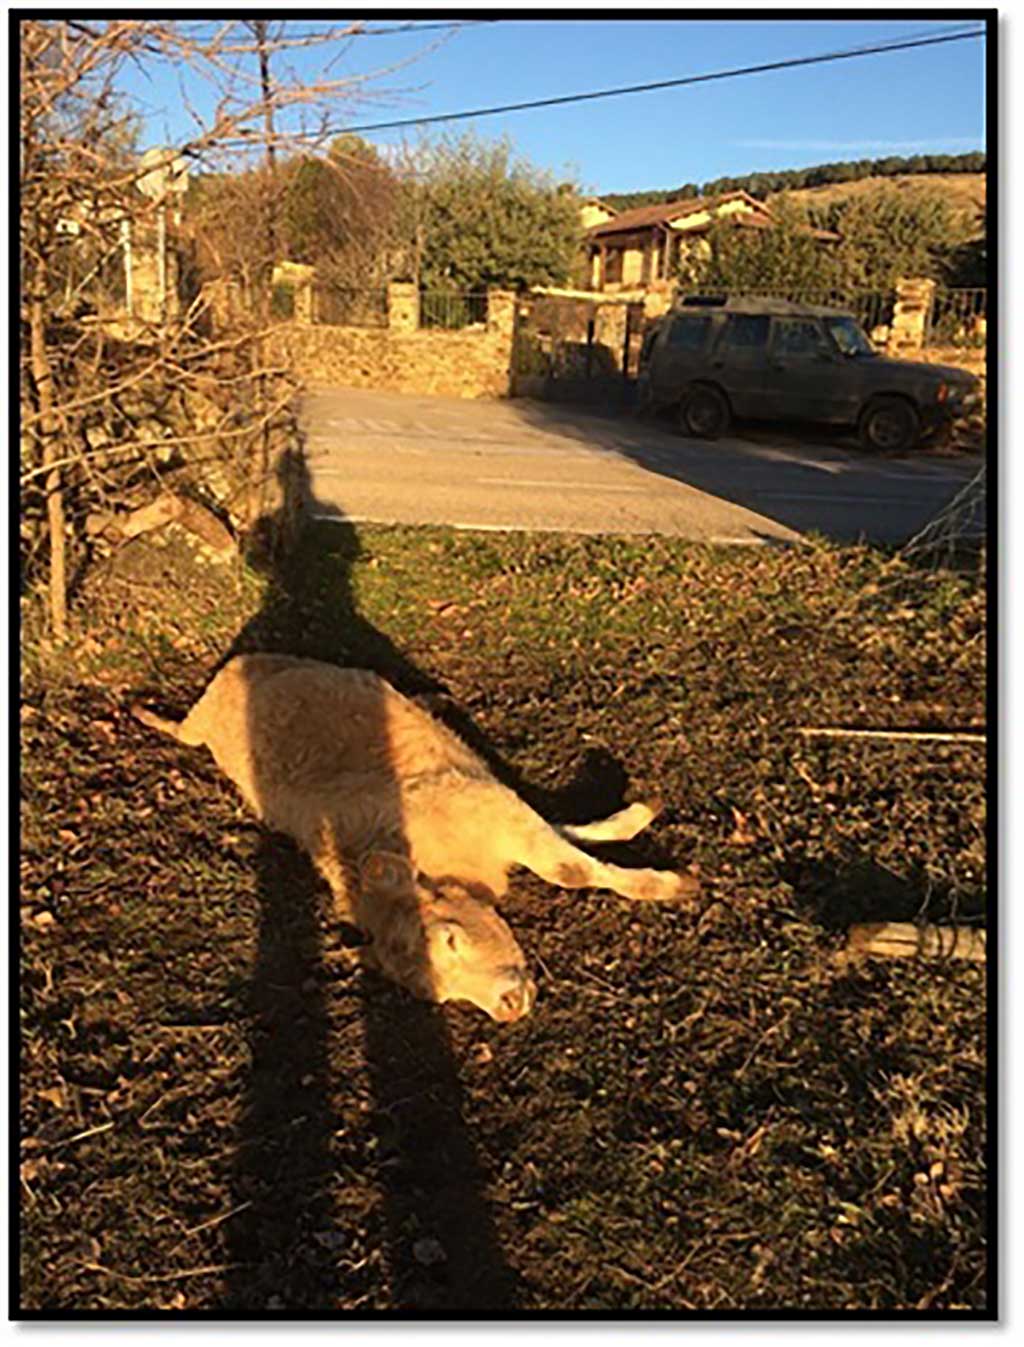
926,100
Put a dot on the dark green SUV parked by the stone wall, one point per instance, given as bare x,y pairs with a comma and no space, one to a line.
717,358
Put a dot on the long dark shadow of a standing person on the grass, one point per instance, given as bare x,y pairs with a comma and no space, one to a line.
432,1224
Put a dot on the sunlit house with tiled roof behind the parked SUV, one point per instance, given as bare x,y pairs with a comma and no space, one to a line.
642,249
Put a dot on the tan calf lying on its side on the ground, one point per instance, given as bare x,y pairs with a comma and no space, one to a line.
352,770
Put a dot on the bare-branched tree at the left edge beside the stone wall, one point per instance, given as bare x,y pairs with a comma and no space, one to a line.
92,374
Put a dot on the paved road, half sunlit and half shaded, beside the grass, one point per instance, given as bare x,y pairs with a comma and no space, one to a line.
519,464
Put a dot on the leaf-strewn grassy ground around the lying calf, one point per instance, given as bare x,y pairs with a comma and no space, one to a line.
707,1111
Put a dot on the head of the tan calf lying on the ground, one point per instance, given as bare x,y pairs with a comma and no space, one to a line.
443,944
